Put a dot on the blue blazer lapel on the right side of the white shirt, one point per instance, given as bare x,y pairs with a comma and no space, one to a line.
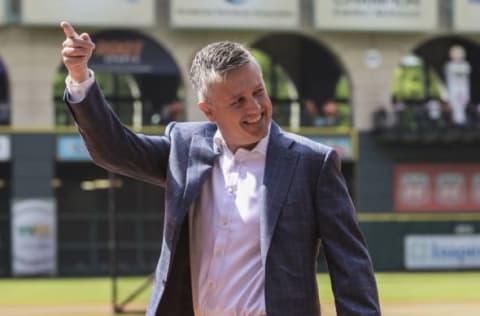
280,167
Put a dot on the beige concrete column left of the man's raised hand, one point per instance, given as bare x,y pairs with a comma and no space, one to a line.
32,58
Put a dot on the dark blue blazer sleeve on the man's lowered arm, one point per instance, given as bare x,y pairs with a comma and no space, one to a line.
346,254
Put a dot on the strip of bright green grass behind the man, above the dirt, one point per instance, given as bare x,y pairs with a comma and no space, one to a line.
393,287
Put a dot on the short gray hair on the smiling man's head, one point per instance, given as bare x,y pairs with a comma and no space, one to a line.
213,62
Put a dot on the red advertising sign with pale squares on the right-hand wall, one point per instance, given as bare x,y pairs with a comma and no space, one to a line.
437,187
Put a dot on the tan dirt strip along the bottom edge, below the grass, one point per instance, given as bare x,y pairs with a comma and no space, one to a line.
389,309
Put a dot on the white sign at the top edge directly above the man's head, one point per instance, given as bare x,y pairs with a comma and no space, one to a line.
239,14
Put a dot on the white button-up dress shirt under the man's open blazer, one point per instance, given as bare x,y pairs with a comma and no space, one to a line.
226,265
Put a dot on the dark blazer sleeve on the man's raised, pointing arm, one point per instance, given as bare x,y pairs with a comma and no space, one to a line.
113,146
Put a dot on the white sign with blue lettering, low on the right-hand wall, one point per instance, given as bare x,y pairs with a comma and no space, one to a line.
442,251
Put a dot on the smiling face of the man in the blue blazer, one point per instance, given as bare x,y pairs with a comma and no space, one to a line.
240,107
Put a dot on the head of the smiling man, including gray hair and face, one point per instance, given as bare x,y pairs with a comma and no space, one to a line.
232,96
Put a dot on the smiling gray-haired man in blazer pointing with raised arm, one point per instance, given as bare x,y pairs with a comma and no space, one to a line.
247,205
